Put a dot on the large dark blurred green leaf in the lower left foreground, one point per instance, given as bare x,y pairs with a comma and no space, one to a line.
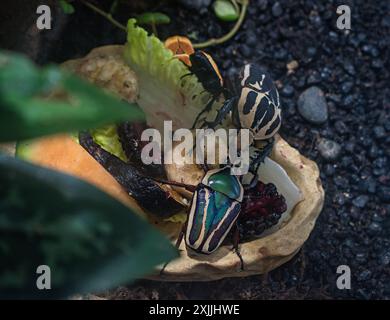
90,241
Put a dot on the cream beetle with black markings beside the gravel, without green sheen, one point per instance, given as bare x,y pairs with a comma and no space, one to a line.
254,105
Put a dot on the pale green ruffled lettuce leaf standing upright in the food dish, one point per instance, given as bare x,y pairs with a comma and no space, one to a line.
166,90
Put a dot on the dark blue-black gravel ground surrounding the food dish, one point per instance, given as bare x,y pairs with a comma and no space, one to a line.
352,69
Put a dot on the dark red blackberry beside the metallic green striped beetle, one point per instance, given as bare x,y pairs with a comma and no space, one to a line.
261,209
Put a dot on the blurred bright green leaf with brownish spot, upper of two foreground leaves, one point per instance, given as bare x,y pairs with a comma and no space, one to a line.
36,102
